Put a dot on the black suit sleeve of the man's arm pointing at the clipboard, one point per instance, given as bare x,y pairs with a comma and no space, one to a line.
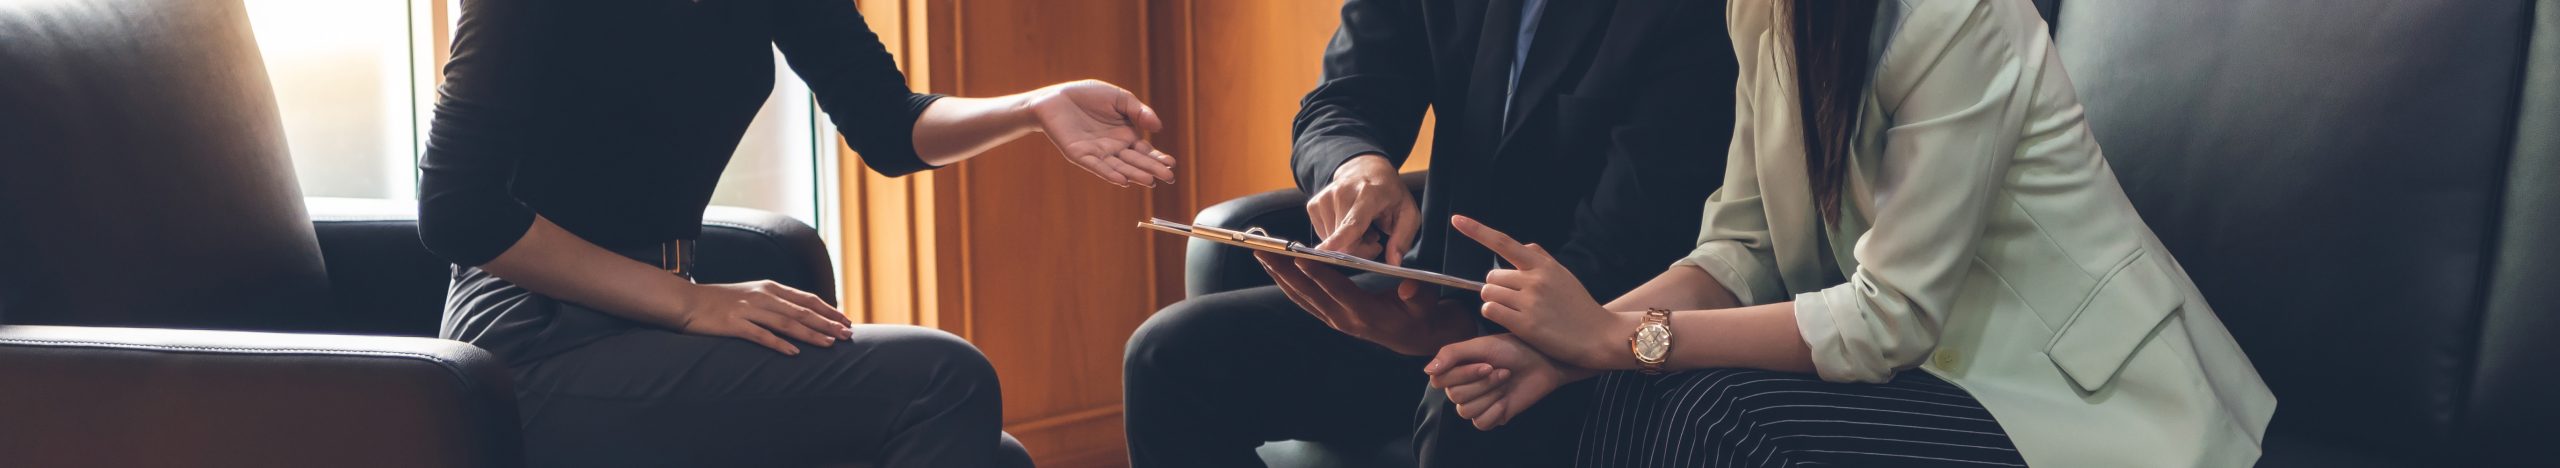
1373,91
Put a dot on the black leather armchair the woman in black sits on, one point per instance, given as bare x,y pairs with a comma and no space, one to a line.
168,298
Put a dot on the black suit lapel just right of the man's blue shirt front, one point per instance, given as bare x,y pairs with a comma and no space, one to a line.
1560,40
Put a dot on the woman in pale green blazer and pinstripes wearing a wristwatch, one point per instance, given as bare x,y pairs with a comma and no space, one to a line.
1919,260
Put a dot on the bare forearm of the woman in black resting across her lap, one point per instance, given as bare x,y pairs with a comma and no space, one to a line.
564,267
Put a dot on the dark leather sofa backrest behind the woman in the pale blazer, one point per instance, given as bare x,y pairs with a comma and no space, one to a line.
2354,191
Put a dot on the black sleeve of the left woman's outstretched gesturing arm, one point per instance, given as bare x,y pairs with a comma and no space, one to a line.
854,81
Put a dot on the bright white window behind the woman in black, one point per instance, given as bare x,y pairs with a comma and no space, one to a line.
357,88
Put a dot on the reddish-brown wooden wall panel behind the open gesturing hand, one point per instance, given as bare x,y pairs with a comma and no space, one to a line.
1048,262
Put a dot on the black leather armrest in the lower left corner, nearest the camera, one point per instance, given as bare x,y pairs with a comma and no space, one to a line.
204,398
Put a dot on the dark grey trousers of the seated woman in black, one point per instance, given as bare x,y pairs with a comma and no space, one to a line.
652,398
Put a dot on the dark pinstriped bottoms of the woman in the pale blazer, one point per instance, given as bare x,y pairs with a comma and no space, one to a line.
1768,418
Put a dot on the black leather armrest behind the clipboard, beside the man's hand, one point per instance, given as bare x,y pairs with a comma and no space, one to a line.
1210,267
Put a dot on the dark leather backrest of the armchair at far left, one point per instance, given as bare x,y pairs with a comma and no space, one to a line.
142,170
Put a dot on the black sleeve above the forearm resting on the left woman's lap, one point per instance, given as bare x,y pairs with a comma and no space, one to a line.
480,134
